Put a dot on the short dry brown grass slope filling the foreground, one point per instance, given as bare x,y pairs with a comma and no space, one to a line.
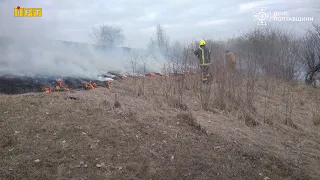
118,133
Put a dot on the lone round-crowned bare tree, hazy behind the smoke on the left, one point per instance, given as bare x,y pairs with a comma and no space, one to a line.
108,36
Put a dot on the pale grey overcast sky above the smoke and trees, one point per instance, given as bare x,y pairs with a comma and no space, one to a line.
184,20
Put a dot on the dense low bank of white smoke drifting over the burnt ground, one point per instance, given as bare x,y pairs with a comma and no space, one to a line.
53,58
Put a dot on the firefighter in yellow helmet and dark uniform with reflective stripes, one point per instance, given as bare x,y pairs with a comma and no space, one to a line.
204,55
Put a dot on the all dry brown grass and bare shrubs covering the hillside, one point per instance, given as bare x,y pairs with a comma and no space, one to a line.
259,123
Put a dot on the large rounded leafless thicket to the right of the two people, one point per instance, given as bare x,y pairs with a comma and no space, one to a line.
274,52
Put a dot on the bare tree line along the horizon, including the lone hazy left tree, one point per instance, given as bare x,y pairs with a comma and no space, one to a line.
266,51
